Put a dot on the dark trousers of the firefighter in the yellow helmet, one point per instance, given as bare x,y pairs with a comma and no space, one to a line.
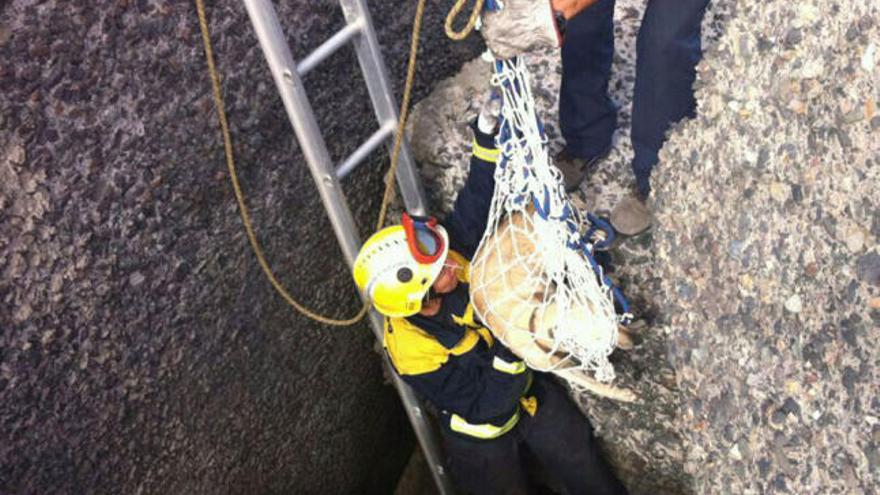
559,437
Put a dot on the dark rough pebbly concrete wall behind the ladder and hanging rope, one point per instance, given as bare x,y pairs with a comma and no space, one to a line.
141,349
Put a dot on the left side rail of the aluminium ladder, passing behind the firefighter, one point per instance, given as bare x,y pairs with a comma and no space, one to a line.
301,116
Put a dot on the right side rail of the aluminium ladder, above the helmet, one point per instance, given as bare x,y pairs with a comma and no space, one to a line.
369,55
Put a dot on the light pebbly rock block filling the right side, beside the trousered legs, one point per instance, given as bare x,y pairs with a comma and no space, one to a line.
767,254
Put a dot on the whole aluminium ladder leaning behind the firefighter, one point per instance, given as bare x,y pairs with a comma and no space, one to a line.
287,75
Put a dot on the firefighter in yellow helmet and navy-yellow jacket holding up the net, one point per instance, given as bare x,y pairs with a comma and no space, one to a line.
494,412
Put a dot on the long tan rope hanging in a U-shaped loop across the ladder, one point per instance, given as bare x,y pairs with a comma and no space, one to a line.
233,175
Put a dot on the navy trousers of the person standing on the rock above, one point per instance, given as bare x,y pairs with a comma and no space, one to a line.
667,51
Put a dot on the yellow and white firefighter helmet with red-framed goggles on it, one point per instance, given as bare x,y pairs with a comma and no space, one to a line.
397,265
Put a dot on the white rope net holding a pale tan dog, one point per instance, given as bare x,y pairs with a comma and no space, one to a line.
532,281
